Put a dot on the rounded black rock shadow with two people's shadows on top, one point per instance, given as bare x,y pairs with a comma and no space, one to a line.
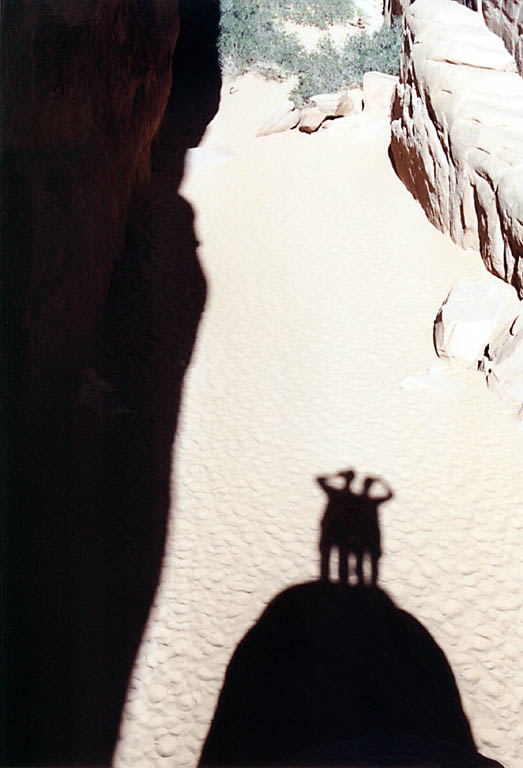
333,674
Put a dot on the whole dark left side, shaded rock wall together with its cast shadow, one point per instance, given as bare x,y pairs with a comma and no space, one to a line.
103,298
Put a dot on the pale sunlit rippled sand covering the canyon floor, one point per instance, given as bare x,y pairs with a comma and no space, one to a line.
324,280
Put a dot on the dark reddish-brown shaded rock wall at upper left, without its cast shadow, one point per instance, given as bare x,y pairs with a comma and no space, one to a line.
85,87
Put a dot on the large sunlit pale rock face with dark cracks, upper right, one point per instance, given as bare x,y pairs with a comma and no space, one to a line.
457,132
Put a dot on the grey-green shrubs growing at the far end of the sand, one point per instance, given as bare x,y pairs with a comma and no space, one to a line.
252,37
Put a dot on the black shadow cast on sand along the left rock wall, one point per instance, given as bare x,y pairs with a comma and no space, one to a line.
91,478
